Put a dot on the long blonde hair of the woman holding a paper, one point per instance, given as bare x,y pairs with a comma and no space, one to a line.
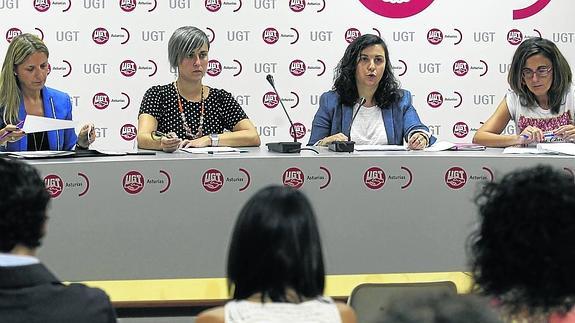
19,50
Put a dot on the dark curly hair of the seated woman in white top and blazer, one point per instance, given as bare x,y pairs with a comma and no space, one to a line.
387,92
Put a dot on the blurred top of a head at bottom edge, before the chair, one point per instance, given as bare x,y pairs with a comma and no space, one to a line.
429,307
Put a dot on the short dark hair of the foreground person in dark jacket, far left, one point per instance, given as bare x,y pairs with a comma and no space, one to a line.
23,205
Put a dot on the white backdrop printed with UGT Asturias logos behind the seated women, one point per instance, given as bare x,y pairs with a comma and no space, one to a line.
452,55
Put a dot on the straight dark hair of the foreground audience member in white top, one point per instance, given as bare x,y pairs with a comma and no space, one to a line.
275,247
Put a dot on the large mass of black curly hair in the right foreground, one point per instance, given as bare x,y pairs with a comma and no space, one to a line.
523,251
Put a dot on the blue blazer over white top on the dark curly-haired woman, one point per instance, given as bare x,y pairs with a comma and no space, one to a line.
332,117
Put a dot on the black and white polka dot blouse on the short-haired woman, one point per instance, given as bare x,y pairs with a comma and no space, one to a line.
221,110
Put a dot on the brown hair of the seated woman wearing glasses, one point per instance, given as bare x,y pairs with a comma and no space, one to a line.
561,71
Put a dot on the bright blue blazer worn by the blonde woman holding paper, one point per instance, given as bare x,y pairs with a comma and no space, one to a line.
57,105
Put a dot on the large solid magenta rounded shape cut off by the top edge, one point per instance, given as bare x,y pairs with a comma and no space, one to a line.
396,8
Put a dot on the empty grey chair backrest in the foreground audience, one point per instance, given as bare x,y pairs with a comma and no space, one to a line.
369,300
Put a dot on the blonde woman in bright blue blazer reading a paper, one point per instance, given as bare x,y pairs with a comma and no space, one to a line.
23,92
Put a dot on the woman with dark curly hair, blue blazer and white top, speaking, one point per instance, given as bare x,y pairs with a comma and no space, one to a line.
386,117
